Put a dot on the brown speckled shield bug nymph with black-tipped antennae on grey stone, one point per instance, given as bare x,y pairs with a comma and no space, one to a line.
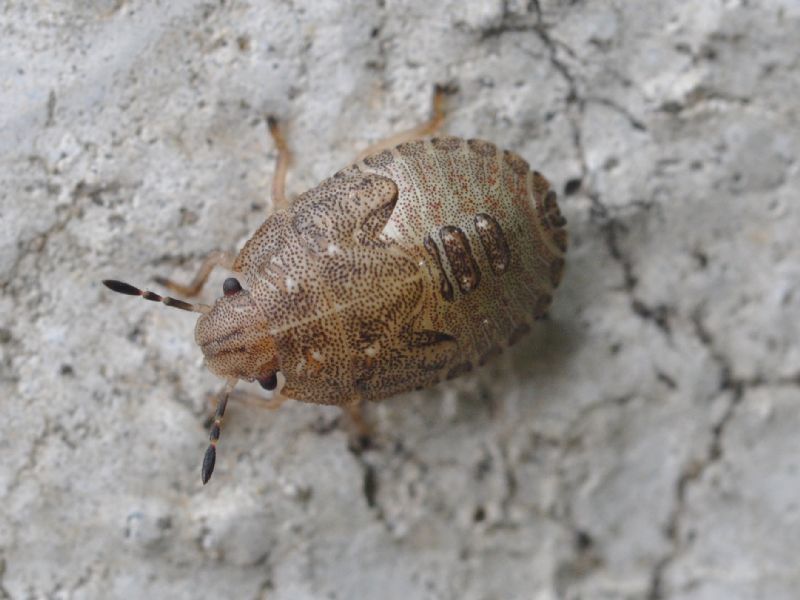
418,262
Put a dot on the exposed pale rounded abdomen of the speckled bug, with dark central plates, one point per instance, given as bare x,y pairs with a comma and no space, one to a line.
486,230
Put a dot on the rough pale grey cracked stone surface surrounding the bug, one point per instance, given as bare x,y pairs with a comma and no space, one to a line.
643,444
